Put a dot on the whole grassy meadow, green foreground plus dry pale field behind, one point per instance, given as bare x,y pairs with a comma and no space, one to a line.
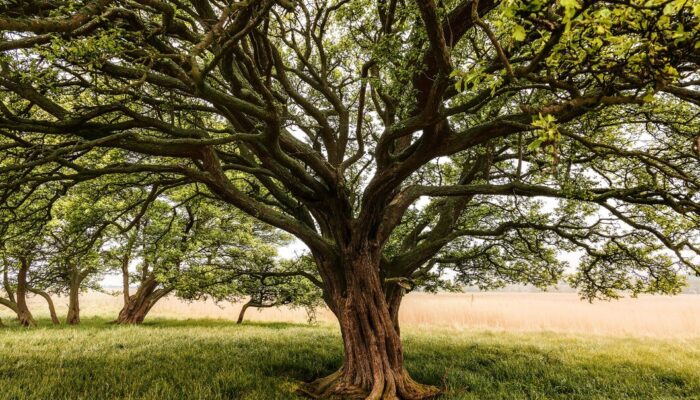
489,346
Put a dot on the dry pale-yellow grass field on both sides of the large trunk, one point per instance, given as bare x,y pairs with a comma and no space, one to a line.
654,316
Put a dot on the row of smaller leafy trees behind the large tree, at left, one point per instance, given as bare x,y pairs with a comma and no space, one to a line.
161,240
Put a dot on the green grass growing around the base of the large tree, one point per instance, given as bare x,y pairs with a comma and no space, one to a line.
203,359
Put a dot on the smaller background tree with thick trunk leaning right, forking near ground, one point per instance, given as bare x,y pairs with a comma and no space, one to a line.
178,240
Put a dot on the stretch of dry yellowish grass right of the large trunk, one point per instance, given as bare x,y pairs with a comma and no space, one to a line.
656,316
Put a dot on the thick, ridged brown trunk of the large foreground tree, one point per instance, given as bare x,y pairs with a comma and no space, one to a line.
373,368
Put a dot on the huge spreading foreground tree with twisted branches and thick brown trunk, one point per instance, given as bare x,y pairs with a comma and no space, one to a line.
332,120
